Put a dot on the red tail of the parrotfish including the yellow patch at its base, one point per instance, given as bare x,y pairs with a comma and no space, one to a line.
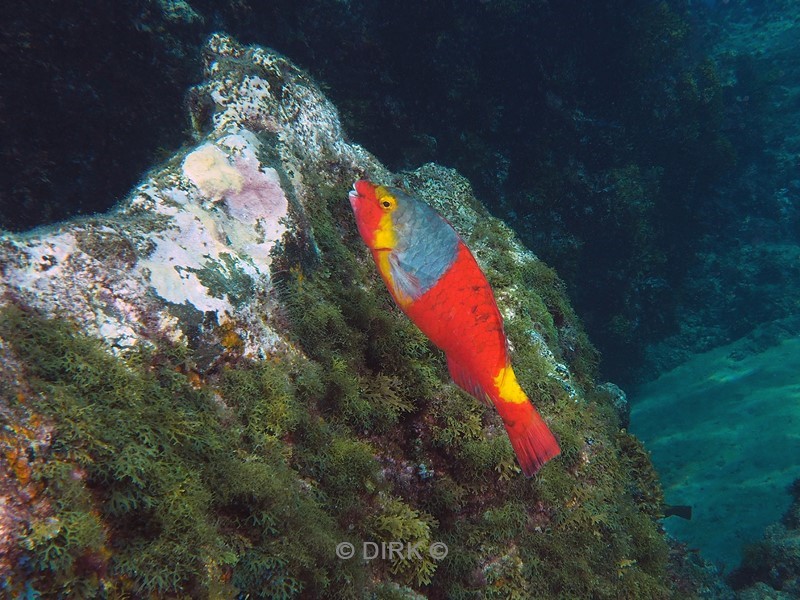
533,442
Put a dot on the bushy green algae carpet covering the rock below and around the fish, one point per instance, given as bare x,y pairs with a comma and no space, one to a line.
244,483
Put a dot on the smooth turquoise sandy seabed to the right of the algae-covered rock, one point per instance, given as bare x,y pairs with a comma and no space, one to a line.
724,431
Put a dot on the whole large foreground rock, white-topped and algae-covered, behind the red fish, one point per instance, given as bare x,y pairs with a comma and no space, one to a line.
208,392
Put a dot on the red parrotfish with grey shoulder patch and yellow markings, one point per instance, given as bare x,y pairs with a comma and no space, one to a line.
434,279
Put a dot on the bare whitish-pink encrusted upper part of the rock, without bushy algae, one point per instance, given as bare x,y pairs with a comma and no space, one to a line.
188,251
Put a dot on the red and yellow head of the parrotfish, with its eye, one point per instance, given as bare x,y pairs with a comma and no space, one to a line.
375,208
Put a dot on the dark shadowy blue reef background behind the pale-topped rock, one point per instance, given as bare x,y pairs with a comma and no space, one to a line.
631,181
